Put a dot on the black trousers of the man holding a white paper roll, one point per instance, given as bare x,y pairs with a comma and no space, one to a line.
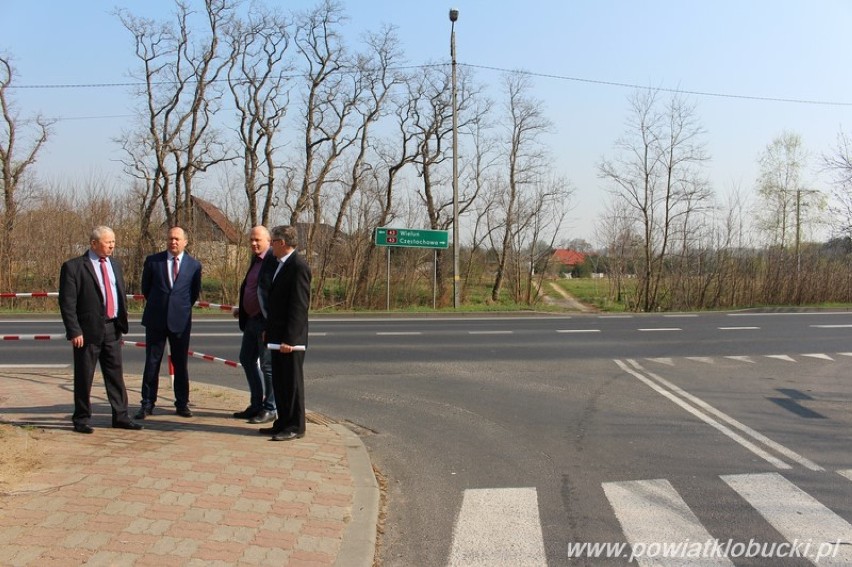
288,382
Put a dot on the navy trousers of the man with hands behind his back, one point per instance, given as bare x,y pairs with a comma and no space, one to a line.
155,345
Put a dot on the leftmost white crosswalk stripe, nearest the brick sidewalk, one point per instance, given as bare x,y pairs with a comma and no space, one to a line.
498,526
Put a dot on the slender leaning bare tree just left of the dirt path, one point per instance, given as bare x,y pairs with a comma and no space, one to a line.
525,157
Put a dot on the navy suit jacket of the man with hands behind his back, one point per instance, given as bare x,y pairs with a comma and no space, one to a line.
169,308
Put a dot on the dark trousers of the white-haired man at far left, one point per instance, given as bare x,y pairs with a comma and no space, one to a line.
108,354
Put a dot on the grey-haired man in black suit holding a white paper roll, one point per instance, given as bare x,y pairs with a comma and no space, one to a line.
287,327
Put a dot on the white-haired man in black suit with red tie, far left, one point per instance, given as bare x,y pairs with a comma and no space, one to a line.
92,303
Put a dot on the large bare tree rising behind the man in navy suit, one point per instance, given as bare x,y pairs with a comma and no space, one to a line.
181,96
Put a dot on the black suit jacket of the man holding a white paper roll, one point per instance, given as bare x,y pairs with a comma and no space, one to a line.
289,300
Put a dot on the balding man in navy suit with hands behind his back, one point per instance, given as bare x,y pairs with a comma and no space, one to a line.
171,284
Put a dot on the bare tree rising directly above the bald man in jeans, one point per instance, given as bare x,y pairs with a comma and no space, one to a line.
258,76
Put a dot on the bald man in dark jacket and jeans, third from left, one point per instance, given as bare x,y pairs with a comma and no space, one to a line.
254,356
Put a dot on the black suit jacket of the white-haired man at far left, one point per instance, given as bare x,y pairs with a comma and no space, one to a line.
81,300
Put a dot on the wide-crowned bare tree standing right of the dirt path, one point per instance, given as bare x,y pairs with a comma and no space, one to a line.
658,175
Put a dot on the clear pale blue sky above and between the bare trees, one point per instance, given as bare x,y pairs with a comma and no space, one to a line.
780,49
